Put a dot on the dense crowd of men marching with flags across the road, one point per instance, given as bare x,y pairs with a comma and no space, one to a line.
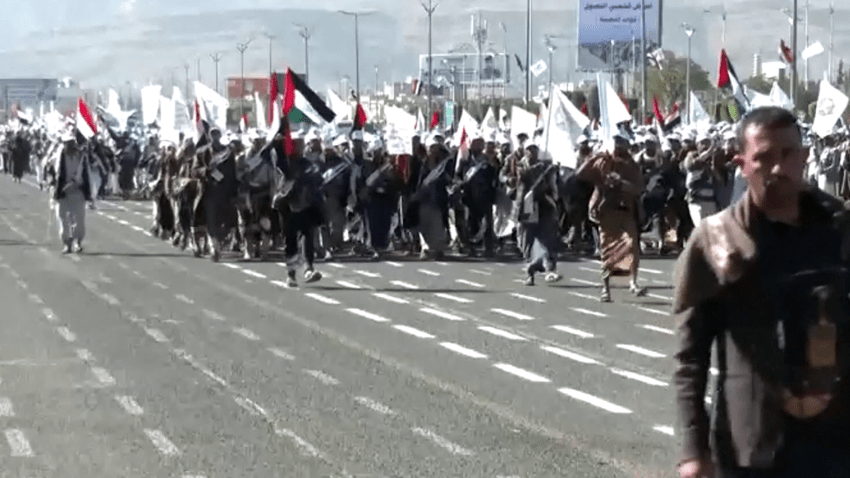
329,195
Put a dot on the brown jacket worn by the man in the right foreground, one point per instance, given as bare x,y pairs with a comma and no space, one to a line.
719,297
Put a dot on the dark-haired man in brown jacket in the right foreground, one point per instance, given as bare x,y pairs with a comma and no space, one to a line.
767,281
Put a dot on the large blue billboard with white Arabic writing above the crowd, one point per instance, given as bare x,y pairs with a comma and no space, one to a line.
609,33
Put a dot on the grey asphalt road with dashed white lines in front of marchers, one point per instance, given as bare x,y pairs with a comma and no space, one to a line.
139,360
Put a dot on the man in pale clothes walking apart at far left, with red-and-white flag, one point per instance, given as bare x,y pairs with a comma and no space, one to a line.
72,187
